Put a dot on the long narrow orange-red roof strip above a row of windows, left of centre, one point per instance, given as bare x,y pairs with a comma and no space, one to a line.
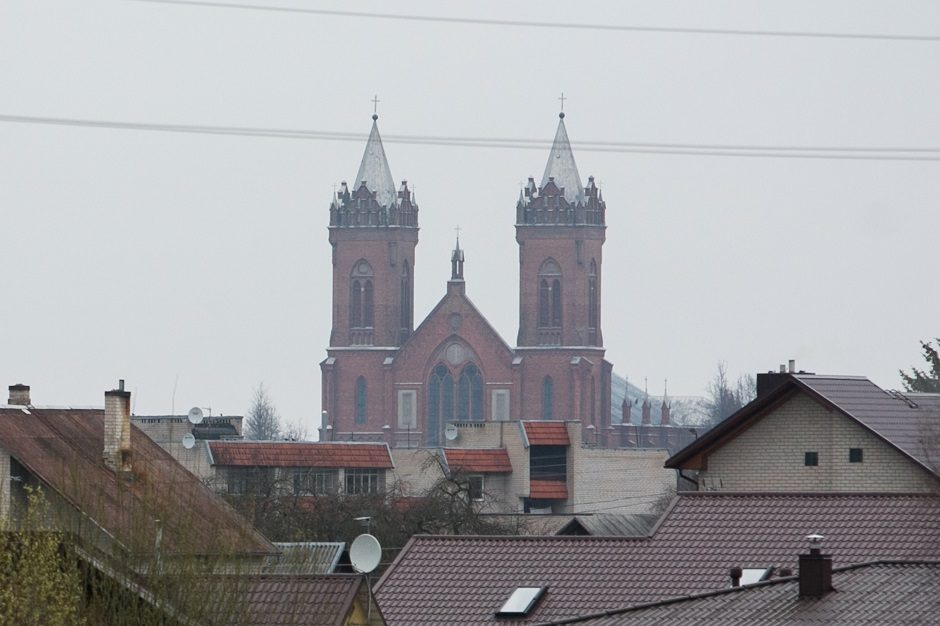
301,454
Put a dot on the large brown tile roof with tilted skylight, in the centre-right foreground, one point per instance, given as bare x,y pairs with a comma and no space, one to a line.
696,543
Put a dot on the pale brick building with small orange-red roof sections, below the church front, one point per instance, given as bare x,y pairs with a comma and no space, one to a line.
537,466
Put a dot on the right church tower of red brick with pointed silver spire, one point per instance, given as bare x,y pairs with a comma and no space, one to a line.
560,229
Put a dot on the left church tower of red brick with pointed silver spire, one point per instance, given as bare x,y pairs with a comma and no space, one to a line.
373,233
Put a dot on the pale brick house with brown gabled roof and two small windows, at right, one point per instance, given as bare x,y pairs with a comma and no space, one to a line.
808,432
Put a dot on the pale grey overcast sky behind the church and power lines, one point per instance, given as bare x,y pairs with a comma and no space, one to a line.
200,262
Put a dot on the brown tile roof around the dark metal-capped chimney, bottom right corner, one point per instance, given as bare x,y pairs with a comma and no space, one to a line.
871,594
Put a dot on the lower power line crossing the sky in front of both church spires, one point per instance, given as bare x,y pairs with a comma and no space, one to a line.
785,152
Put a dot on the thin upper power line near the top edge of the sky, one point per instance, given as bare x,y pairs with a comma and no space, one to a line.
554,25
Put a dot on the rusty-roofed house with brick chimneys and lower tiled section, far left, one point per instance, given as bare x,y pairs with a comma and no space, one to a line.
129,510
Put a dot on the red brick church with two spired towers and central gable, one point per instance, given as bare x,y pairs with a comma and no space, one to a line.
385,378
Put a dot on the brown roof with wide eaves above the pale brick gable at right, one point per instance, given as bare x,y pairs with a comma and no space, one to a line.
907,422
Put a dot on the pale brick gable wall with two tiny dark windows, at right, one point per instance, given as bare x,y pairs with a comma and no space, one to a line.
769,456
